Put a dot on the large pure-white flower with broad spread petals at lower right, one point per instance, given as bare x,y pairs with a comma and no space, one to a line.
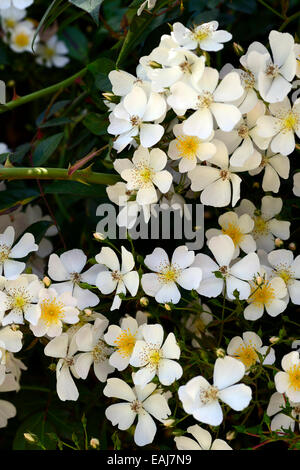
201,399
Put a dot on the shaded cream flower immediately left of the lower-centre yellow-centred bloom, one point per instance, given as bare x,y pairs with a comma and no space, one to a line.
90,340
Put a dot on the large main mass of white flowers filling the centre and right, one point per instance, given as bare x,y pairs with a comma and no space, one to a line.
186,122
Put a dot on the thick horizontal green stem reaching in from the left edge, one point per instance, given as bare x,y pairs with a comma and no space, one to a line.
83,176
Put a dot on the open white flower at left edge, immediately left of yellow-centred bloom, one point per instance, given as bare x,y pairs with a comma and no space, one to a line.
20,299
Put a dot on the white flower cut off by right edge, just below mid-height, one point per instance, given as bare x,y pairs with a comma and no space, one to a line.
285,266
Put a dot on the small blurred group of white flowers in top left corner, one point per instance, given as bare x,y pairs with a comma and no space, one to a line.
19,32
